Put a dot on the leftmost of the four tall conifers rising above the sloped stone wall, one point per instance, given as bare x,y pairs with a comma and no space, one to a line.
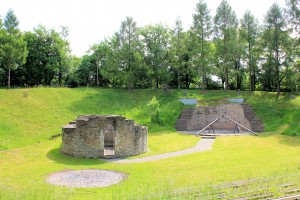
202,29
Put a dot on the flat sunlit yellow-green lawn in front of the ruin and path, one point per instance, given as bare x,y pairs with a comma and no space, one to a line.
24,170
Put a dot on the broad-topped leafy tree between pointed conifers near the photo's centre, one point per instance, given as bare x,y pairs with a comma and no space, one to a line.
156,40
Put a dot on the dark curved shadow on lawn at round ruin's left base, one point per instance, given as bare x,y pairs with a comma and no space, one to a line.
58,157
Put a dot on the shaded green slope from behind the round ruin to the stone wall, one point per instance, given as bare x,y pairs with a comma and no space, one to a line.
131,104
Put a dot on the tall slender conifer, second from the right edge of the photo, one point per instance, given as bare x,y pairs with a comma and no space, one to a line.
275,38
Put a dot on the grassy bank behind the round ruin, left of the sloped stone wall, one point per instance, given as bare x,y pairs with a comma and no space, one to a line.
29,116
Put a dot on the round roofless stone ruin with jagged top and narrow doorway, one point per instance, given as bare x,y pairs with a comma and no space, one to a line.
100,136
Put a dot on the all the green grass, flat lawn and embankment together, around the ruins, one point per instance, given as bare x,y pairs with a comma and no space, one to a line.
27,157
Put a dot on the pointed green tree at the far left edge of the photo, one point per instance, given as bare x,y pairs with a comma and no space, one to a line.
13,51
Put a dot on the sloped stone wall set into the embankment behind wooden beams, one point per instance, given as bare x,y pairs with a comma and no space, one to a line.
199,117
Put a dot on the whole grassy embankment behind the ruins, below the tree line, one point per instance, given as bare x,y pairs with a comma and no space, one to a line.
32,115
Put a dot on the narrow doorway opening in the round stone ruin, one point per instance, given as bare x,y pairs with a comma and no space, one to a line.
109,141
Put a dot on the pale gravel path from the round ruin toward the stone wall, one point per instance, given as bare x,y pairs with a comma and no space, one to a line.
205,144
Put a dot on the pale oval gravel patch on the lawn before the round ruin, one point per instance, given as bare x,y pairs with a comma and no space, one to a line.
89,178
